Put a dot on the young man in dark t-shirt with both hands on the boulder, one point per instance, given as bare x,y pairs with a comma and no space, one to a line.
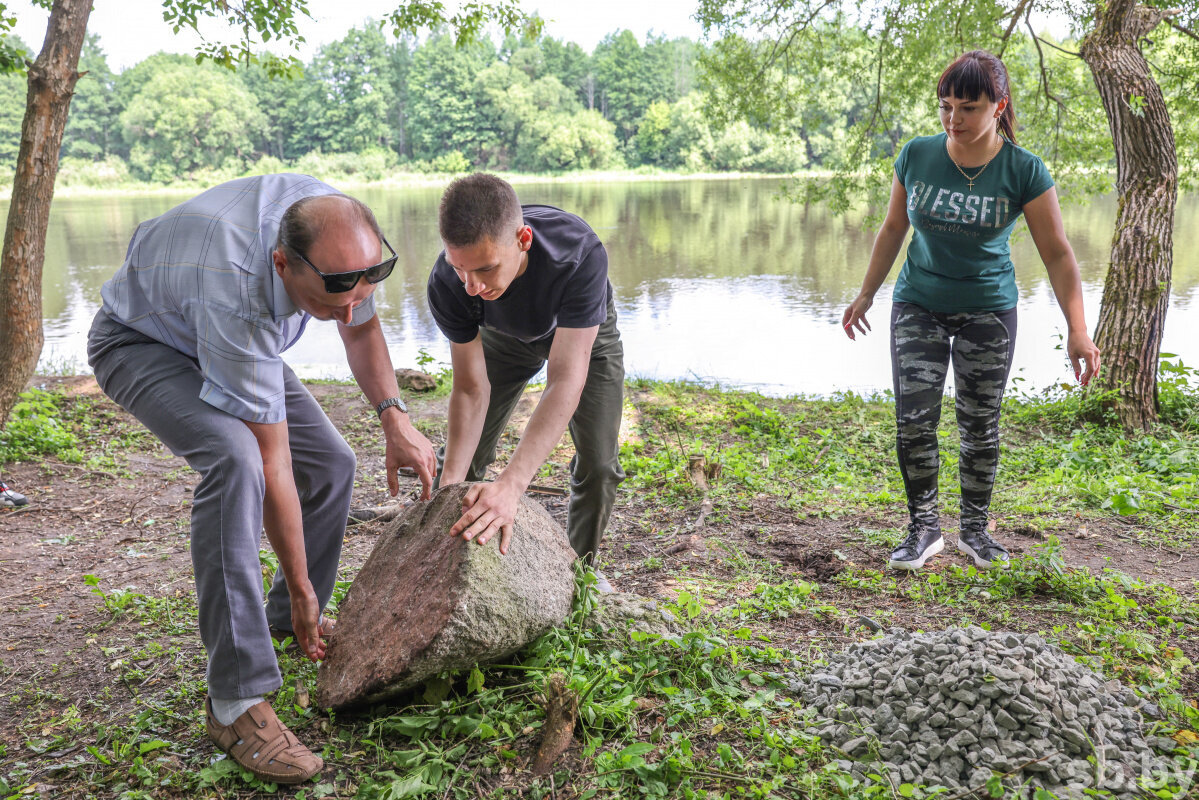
517,287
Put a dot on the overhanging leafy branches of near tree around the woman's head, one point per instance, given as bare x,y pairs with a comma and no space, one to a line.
793,64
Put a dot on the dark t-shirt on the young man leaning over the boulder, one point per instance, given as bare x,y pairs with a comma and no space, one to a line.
565,286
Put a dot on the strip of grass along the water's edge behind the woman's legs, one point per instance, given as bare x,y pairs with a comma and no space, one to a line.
833,458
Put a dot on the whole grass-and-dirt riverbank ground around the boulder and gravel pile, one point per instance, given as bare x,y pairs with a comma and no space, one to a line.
776,566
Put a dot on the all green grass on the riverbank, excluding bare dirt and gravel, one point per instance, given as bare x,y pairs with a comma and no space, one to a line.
713,714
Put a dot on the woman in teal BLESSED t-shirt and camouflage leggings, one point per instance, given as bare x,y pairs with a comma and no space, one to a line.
955,302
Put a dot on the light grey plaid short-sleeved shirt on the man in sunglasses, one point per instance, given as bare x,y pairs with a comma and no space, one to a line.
200,279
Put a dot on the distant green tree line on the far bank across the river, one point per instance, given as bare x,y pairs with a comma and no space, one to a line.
369,105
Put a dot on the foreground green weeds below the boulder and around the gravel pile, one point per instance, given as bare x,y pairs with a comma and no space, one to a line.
708,715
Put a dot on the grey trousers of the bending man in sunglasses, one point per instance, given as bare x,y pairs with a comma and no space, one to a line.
161,388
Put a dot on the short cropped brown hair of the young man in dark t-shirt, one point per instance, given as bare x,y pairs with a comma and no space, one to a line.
479,207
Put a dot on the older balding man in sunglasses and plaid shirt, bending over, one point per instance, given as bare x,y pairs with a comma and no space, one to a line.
189,341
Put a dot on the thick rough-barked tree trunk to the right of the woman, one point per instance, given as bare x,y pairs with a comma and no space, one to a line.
1137,291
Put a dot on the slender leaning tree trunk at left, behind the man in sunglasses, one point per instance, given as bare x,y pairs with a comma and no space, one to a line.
52,80
